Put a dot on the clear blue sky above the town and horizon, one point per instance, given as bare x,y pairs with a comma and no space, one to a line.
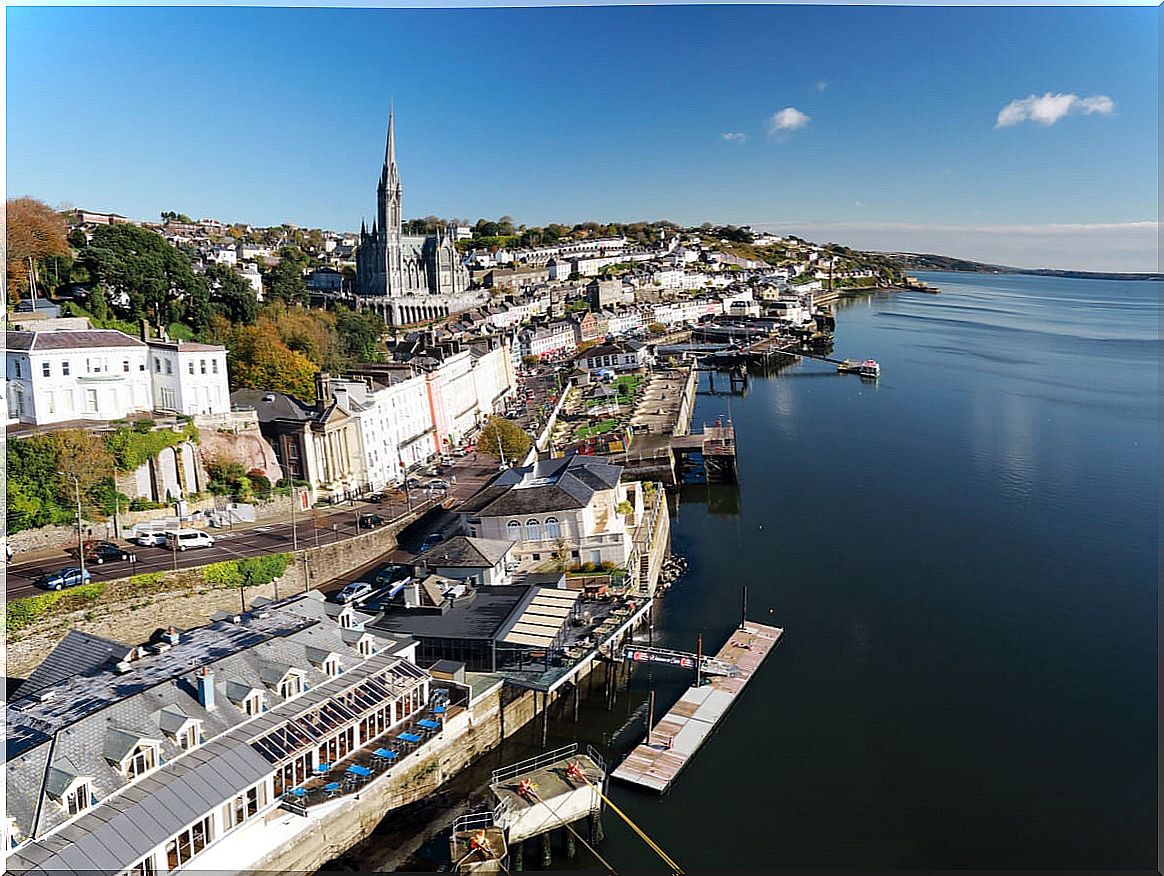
891,130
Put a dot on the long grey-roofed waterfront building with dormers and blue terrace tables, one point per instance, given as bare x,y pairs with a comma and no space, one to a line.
154,759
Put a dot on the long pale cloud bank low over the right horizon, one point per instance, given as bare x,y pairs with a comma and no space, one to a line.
1069,247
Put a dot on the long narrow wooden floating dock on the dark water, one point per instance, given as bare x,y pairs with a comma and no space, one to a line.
658,761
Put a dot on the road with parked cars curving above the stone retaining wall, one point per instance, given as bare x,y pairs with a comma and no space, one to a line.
320,526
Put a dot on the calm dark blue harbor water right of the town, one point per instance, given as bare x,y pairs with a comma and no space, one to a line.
964,557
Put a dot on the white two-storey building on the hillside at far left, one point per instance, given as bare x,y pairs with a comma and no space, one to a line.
102,375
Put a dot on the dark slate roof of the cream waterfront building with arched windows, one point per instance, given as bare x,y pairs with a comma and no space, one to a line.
546,487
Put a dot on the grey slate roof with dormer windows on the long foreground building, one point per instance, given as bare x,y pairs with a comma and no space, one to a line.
91,721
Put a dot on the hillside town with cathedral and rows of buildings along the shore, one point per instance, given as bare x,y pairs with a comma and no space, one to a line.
350,380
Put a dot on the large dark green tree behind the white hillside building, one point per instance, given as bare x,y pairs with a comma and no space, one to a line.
141,274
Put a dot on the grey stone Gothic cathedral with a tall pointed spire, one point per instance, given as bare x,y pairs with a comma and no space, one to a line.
408,279
